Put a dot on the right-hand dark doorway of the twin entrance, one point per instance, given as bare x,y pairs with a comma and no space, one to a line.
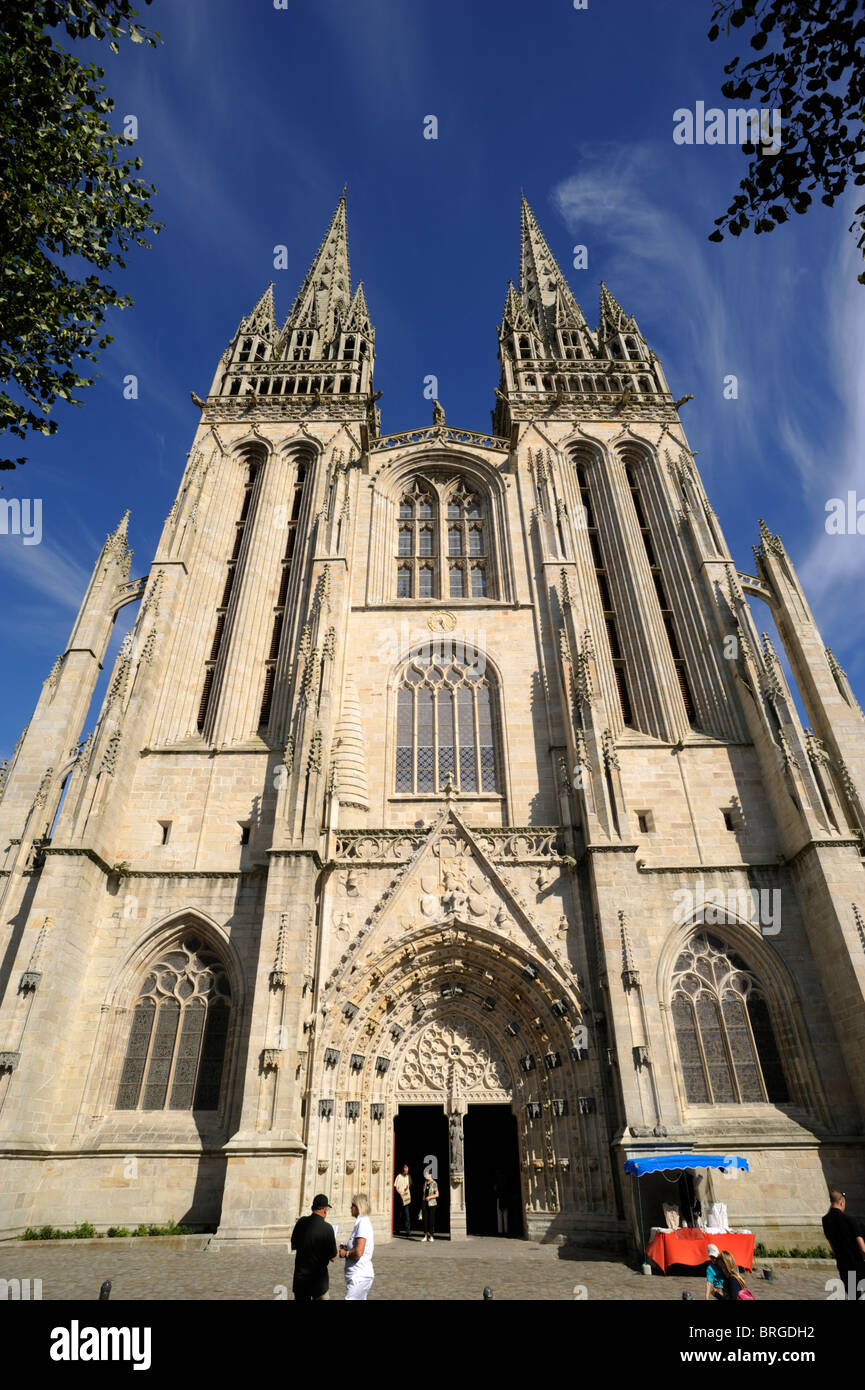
494,1204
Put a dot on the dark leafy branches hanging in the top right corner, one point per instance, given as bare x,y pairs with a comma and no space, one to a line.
810,66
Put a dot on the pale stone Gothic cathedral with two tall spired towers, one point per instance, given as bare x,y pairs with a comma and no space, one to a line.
444,808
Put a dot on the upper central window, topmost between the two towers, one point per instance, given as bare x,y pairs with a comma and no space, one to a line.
443,543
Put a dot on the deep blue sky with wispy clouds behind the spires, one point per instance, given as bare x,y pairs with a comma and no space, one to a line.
252,119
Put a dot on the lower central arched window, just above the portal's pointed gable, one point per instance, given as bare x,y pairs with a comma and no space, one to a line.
447,715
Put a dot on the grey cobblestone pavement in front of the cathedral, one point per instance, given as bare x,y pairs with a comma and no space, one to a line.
404,1271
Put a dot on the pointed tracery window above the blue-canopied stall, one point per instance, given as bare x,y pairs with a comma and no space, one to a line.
727,1046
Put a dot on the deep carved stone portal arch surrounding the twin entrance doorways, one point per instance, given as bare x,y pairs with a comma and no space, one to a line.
454,981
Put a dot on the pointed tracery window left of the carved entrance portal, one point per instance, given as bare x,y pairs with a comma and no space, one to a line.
180,1028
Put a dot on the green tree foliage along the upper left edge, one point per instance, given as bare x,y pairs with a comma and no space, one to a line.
69,199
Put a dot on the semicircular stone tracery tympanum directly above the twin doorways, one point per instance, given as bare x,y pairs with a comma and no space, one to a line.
458,1057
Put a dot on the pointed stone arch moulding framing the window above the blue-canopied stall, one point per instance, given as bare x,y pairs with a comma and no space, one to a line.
777,986
